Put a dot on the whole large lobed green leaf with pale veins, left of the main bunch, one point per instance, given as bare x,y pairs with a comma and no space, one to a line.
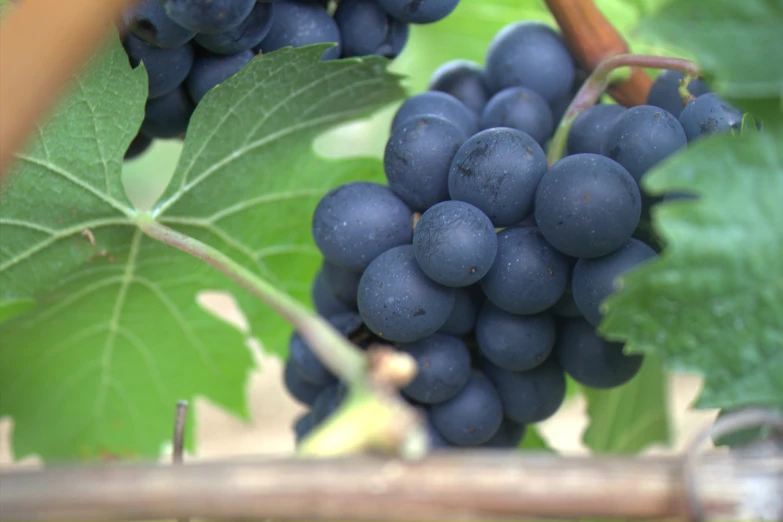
117,337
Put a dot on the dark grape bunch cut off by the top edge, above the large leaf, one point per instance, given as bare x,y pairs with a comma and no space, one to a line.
190,46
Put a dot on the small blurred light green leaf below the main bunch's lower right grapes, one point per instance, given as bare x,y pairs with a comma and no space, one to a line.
631,417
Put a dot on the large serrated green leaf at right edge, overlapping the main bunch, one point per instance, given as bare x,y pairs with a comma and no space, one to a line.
713,301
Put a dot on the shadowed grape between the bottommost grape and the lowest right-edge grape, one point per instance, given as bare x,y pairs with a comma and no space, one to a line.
530,396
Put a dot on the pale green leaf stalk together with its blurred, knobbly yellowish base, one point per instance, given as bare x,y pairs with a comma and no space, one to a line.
374,417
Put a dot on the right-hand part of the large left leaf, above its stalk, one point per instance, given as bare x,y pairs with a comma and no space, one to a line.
248,179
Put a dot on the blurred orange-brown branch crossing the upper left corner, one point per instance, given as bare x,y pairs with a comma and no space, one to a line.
43,43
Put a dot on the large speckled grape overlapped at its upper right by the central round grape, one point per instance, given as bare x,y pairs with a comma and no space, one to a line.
398,301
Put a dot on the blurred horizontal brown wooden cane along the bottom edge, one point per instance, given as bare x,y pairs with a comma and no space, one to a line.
481,485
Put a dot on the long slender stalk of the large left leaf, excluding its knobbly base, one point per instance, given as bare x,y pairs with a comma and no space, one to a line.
335,351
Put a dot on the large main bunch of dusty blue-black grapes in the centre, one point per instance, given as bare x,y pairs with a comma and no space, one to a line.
478,259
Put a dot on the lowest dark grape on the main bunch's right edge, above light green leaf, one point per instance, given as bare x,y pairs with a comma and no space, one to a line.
590,360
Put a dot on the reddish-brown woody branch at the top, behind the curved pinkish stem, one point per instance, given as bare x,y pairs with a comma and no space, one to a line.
592,39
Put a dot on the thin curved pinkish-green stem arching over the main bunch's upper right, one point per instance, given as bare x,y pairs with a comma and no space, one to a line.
597,83
